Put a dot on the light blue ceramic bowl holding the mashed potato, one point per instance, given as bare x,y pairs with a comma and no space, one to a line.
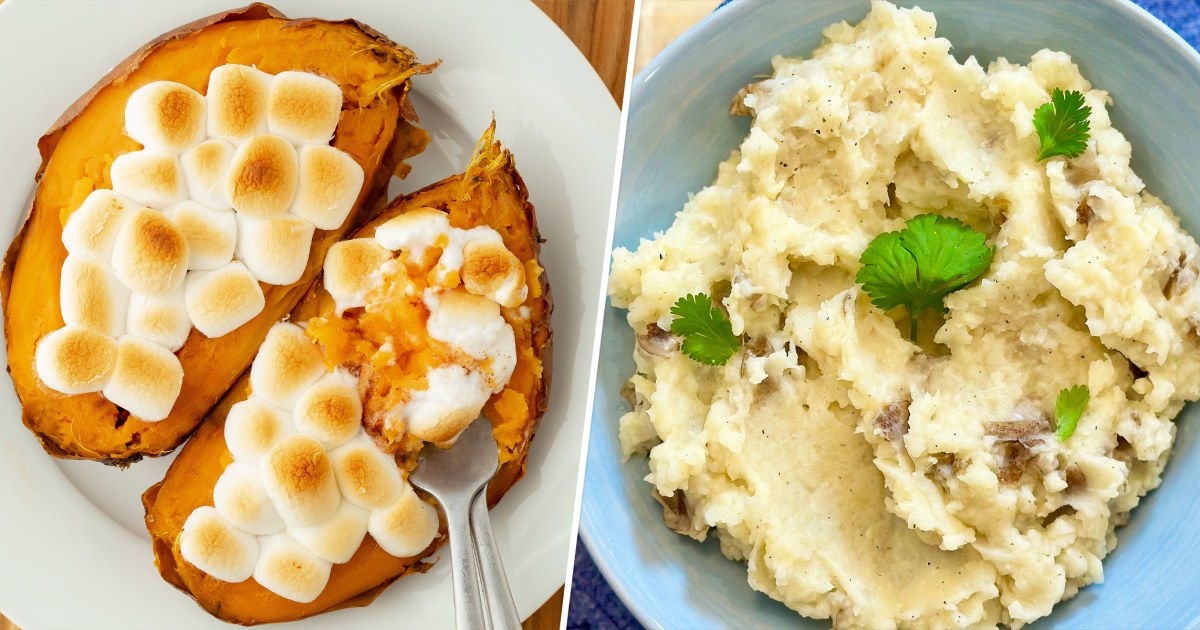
680,130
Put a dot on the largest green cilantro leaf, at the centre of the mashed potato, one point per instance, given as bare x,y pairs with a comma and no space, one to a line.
923,263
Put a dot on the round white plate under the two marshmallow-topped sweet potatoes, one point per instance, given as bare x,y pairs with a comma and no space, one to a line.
74,551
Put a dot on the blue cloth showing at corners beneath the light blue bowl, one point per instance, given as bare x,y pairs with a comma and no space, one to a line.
595,607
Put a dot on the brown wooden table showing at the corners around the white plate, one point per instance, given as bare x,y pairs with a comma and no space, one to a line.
601,29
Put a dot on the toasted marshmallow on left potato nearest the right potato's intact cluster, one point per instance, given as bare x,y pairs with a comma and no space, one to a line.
224,299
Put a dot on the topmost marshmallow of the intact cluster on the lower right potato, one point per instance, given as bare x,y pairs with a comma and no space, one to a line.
287,363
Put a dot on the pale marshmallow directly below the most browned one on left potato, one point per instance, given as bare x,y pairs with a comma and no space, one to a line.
275,250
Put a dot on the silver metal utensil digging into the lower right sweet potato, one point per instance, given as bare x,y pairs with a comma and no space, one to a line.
458,477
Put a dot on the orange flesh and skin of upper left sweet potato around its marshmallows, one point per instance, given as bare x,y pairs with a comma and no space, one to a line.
375,129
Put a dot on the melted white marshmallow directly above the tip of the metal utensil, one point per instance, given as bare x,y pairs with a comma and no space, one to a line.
453,399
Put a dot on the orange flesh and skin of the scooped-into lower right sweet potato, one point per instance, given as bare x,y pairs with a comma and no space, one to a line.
491,194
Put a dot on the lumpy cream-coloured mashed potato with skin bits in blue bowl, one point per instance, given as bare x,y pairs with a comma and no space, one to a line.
868,479
